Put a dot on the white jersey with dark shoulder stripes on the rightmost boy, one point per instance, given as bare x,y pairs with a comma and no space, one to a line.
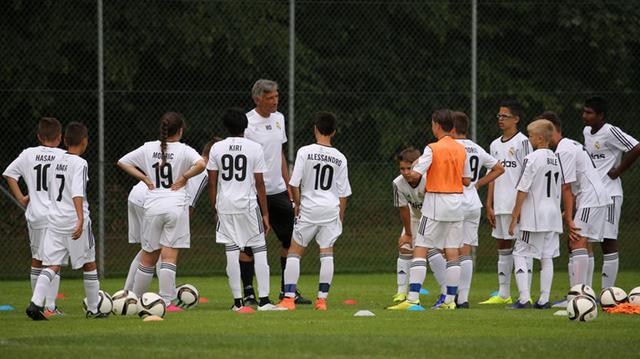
606,148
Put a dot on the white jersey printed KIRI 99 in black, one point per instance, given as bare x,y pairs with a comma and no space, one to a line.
236,159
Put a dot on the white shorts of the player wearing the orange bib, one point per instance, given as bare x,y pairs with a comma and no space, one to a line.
439,234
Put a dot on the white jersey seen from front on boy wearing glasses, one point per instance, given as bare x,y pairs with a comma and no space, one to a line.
511,153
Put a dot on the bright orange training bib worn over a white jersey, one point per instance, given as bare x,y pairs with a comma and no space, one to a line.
447,166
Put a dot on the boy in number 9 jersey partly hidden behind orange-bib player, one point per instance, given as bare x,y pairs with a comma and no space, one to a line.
477,158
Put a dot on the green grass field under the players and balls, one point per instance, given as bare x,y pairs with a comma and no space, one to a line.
211,330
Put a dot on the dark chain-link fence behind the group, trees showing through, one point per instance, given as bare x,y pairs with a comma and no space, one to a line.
382,66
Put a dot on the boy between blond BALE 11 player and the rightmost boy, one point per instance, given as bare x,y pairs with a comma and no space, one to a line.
583,190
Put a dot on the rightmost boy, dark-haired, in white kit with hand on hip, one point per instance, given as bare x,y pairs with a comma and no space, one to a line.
613,151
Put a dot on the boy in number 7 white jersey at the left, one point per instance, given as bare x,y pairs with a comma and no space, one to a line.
68,235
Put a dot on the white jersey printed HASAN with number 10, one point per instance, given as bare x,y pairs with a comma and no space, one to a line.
33,165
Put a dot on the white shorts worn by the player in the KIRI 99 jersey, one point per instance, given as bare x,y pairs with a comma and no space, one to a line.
241,229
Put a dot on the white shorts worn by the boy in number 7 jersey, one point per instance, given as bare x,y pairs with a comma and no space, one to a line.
59,248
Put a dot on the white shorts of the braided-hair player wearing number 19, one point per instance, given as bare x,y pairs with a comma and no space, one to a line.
169,229
